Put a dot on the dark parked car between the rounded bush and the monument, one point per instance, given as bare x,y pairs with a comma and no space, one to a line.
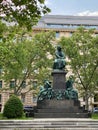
29,111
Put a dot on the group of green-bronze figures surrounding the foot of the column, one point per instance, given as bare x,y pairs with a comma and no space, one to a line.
46,91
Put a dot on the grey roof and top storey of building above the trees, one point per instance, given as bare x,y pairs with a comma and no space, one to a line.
66,25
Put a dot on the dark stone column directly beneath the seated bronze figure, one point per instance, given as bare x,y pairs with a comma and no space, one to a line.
59,79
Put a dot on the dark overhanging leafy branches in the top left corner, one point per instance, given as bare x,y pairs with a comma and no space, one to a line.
23,12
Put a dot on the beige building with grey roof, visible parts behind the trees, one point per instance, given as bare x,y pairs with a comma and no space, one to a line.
63,26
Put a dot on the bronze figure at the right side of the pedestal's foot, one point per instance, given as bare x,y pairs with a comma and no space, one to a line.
70,92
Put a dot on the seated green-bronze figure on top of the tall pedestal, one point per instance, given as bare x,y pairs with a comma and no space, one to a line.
59,62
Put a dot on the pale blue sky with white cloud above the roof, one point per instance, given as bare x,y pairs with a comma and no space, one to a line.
73,7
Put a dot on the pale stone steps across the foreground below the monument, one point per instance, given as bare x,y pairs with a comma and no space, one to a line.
50,124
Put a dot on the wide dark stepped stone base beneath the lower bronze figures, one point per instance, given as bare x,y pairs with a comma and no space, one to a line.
60,109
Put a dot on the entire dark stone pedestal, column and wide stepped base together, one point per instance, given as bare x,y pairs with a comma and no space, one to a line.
59,107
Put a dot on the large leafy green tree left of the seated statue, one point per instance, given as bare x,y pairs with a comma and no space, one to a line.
25,58
